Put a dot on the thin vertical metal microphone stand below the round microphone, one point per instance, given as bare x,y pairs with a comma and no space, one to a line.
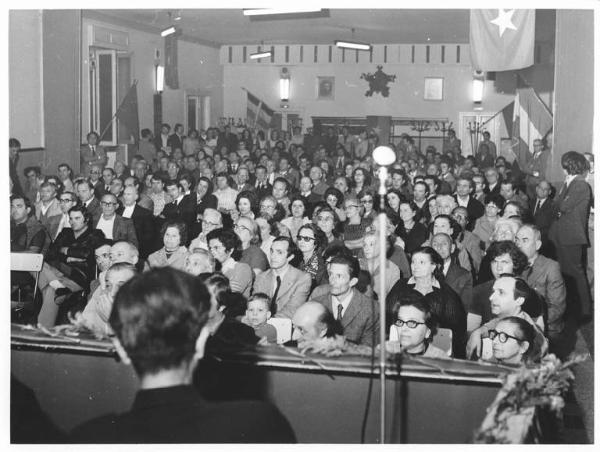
382,302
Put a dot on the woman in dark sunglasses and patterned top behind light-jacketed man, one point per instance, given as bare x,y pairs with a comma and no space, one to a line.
311,242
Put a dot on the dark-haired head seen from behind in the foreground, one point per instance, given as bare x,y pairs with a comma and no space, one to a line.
159,318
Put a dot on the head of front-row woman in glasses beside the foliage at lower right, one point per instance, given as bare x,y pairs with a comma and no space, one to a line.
513,341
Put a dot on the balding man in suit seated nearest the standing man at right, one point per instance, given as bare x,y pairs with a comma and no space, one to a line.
543,275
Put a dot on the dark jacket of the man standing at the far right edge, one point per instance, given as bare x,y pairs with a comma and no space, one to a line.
573,207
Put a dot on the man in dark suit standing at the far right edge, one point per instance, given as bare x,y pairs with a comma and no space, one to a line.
569,231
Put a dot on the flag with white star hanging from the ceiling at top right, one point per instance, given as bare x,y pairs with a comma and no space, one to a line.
502,39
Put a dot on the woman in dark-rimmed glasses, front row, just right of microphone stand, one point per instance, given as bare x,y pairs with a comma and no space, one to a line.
413,328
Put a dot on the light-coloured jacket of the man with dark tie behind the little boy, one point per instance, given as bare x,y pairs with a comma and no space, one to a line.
293,292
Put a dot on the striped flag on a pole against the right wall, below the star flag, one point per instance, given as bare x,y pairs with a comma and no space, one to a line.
532,120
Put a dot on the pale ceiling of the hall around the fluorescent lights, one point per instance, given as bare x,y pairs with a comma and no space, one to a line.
230,27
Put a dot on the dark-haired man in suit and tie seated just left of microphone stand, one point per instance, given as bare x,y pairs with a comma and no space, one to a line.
358,314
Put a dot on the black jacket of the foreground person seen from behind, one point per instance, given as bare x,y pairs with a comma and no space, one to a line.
178,414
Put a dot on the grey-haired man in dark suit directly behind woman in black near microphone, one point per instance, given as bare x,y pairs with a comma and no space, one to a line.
459,279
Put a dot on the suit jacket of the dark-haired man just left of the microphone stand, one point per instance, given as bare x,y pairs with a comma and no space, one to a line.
360,320
